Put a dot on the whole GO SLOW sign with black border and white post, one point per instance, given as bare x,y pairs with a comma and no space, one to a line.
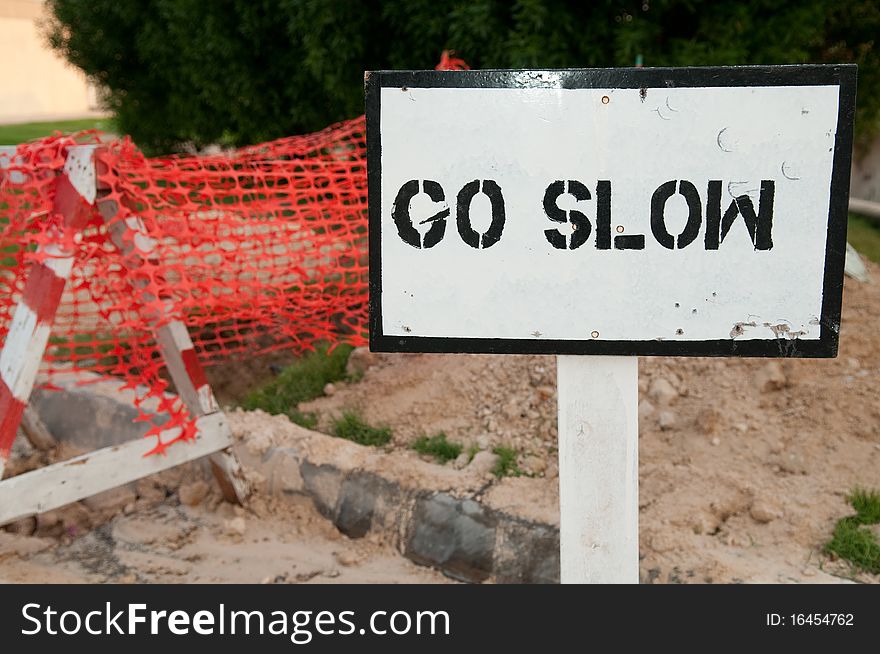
618,212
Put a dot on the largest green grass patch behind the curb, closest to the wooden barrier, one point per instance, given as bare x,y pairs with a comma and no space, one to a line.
301,381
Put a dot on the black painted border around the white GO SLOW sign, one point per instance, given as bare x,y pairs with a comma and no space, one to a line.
841,75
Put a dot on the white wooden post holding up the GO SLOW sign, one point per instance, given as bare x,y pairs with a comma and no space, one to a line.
598,469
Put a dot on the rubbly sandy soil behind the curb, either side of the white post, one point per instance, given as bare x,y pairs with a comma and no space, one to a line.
744,463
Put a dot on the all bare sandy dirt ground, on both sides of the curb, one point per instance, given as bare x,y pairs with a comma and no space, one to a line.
744,468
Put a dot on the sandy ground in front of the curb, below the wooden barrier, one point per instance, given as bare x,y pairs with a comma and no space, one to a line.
162,540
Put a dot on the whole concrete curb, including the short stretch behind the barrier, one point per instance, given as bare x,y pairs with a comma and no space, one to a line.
472,528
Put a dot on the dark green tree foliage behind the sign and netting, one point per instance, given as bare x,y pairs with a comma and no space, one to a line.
243,71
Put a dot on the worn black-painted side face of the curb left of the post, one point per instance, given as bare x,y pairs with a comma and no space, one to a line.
459,535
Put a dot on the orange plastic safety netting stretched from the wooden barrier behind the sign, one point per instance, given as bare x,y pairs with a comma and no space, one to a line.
257,249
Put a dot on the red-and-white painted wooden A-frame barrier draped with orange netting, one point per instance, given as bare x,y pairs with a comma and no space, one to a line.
20,355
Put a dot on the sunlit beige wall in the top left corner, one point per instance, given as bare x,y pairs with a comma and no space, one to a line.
37,84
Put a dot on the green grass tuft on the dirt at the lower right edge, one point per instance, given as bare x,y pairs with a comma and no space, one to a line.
853,540
